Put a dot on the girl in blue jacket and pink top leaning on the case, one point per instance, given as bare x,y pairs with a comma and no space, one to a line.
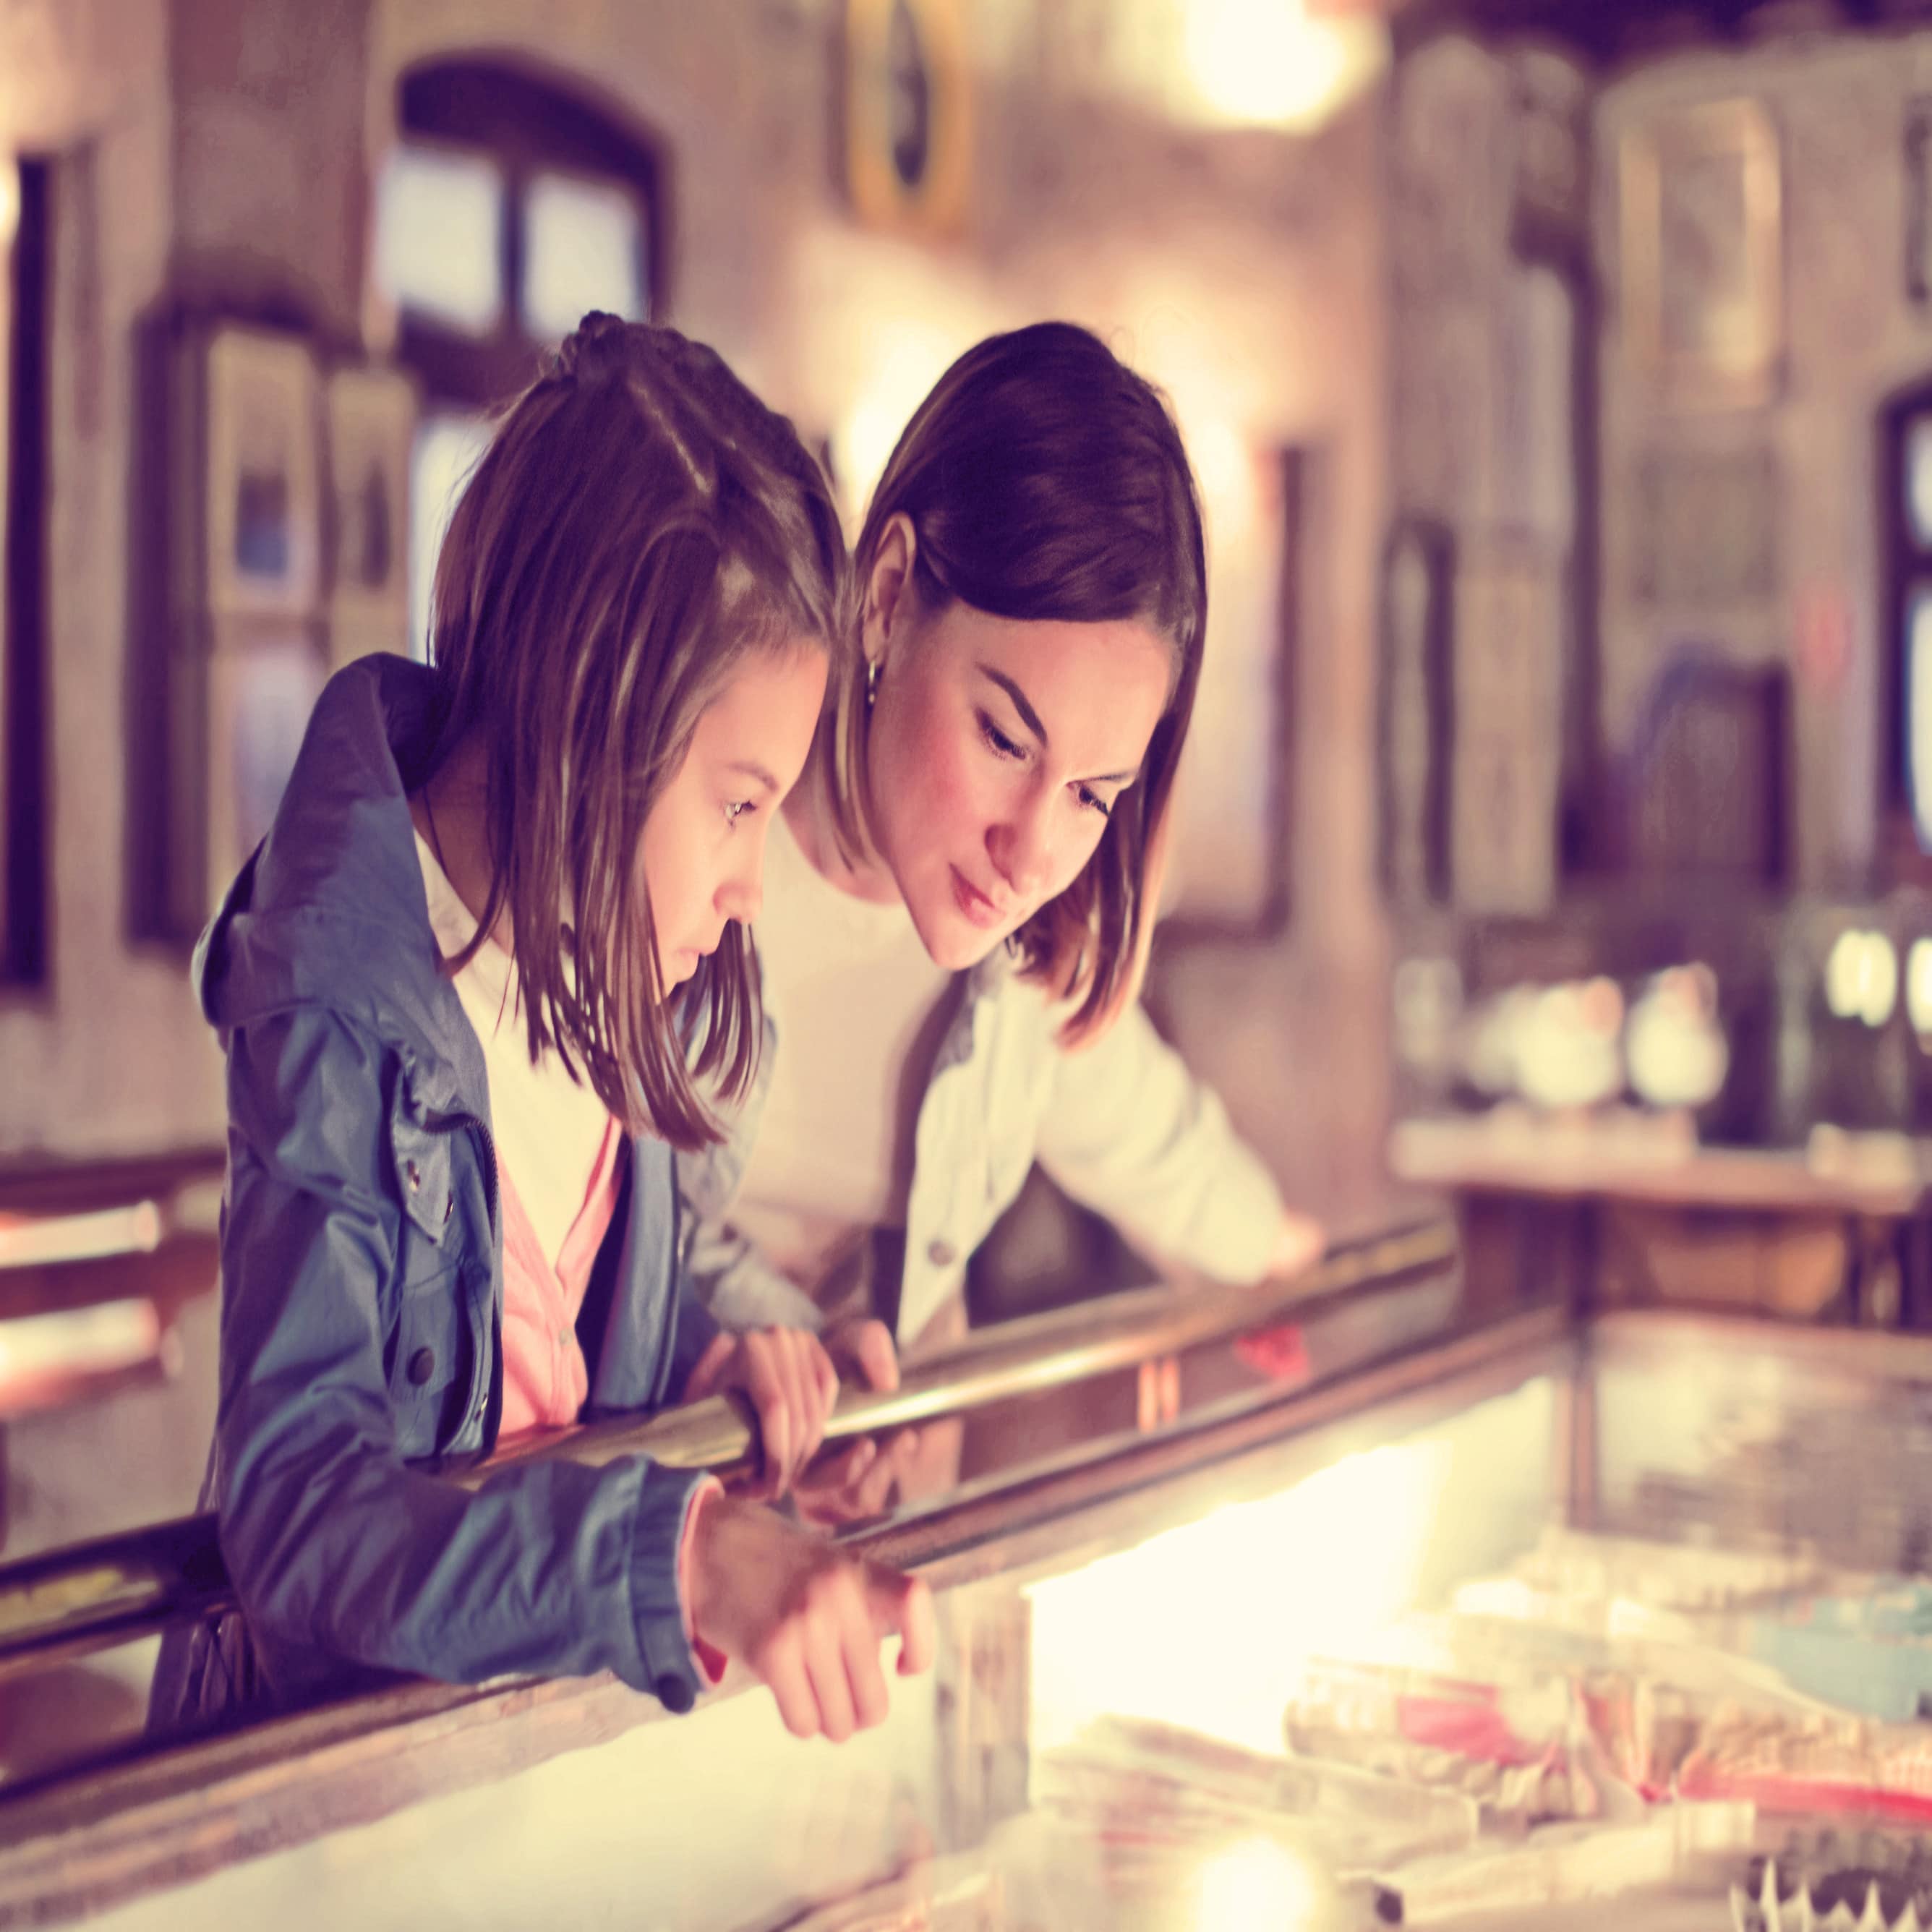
457,984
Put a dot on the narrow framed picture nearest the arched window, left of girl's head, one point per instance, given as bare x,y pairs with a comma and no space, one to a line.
372,430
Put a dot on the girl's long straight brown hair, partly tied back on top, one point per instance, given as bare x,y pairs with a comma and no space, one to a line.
637,530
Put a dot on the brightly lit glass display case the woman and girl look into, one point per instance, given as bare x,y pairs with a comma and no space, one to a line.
1518,1620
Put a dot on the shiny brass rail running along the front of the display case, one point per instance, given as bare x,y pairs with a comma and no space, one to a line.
92,1597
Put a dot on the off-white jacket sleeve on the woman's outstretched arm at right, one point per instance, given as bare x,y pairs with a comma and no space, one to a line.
1129,1131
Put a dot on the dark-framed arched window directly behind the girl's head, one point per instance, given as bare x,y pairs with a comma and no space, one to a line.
507,210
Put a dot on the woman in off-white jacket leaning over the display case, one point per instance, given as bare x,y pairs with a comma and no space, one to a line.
961,894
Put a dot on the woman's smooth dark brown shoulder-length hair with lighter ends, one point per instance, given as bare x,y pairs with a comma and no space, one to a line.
1048,480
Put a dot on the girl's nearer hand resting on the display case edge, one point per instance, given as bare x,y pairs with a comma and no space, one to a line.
807,1618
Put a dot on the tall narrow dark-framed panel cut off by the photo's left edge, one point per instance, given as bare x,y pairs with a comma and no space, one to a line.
26,333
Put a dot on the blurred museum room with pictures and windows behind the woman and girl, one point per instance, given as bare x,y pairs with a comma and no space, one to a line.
1560,384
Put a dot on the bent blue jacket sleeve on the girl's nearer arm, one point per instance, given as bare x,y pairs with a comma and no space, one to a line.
331,1541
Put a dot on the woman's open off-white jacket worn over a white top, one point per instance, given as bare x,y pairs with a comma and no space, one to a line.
1122,1125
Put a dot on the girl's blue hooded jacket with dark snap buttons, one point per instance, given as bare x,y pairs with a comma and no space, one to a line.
362,1295
